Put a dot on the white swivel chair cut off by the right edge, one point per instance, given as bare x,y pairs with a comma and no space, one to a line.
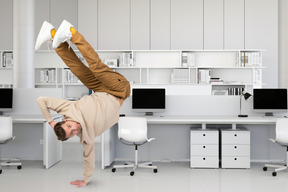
281,139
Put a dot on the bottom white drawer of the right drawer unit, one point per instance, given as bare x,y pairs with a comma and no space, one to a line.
235,162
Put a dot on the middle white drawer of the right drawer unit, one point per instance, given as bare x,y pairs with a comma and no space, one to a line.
235,150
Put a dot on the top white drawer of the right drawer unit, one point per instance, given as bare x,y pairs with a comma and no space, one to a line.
235,137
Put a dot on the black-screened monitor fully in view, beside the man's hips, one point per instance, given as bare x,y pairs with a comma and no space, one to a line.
148,100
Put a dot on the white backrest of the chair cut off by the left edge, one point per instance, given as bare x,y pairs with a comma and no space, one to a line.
6,128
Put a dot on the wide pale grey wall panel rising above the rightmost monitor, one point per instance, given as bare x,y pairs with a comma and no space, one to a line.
261,32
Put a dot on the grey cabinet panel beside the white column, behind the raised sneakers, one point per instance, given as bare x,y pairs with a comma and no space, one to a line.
42,13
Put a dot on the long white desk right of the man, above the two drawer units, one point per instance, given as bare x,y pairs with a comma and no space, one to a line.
108,138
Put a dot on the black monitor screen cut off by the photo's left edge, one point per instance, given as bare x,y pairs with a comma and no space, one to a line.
6,98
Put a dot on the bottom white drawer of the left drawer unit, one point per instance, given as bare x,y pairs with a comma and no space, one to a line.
204,162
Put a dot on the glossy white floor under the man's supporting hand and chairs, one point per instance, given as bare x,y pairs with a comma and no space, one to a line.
171,177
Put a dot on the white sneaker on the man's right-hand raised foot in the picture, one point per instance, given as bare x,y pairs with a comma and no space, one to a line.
63,34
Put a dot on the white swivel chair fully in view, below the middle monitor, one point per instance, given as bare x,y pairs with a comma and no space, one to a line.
133,131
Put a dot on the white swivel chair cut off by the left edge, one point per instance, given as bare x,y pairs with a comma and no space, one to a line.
6,129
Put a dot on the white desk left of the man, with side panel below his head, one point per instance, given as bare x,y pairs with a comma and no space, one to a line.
52,148
